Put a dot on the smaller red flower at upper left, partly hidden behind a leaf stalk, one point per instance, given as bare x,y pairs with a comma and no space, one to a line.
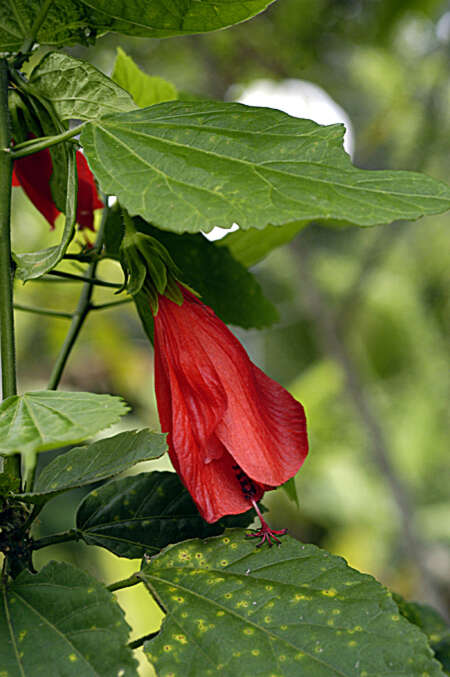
33,173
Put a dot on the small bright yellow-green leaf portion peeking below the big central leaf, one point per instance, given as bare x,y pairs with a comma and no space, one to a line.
250,246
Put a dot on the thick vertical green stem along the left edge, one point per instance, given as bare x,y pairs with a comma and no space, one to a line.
10,466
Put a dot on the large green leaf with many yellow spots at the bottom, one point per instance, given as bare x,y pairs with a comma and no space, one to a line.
288,611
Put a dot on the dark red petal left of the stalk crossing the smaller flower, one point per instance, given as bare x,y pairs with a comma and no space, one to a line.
33,173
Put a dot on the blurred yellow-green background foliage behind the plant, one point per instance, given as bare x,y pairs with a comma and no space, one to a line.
361,341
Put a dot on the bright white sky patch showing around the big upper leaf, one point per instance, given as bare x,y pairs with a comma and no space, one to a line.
298,98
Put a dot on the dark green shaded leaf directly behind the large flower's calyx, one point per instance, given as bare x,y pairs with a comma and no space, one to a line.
224,284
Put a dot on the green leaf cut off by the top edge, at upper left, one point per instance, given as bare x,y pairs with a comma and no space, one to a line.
71,21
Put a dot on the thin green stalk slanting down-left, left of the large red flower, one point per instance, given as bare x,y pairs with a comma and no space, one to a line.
80,314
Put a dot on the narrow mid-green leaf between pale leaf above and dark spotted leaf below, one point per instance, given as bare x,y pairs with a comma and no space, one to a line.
94,462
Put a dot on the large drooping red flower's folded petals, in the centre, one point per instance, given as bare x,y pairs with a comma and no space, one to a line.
233,432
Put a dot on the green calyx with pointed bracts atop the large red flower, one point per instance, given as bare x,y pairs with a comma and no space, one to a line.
148,267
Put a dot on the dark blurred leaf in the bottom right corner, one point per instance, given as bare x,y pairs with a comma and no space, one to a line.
432,624
